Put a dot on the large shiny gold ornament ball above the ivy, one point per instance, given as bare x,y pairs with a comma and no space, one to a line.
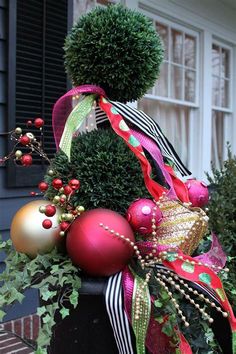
27,233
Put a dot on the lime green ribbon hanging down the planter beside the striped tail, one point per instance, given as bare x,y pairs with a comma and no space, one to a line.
141,302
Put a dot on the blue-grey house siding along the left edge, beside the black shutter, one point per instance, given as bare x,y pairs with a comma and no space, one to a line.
11,199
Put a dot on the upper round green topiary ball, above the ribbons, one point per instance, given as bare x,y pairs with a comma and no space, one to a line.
115,48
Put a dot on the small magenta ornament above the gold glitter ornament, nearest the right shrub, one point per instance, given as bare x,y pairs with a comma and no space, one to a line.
198,192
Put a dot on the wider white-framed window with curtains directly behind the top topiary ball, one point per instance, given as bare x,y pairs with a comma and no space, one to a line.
173,101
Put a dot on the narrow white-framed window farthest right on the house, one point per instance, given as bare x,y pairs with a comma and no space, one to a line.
221,101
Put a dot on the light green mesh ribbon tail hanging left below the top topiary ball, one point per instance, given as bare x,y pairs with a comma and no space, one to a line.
74,121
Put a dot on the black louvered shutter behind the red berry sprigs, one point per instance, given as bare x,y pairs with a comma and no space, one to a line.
36,64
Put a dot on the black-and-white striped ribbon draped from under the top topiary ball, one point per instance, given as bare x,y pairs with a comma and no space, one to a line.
146,124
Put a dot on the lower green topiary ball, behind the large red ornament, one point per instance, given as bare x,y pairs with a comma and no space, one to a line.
109,173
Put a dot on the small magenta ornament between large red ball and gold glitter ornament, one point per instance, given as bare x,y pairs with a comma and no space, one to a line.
139,215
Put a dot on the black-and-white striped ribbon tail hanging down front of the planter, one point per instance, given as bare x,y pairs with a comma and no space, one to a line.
117,315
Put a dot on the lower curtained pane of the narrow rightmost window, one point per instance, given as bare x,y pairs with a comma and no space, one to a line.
217,147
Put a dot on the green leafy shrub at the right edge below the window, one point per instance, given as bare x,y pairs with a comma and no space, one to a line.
222,214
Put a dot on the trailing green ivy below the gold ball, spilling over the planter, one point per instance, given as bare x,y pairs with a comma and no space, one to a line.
52,274
